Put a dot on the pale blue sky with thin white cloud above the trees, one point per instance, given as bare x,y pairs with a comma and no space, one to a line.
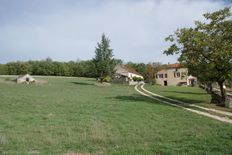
65,30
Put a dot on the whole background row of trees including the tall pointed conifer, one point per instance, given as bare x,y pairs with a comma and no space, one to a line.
101,66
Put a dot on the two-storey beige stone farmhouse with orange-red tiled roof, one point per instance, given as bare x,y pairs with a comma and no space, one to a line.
175,75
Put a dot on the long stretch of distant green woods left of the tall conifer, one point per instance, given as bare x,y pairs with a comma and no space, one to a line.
49,68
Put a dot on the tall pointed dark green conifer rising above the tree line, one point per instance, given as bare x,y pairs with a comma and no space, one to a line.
104,62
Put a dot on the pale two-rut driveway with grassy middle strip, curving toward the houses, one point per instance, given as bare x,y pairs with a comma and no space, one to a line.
212,113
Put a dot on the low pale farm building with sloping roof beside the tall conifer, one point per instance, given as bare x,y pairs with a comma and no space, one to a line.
124,74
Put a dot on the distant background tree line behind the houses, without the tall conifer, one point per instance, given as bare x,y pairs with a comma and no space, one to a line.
83,68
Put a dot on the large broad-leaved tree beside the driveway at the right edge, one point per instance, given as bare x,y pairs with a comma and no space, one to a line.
206,49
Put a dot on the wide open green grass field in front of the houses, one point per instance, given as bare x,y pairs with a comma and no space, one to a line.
74,115
